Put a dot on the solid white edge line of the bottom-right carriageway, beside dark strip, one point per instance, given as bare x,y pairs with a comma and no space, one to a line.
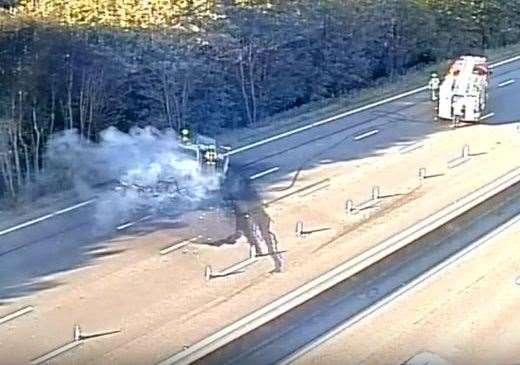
420,282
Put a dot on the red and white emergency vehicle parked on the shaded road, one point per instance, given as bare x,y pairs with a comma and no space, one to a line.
464,91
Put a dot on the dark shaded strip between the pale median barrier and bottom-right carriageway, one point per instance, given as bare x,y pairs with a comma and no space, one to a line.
278,339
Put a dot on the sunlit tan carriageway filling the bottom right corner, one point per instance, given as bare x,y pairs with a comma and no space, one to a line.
465,315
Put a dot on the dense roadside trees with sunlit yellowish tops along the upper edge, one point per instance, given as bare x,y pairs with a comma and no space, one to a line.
89,64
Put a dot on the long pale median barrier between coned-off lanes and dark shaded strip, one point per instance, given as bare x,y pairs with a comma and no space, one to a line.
341,272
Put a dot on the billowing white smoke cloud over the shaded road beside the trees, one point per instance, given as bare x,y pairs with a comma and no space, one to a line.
148,166
